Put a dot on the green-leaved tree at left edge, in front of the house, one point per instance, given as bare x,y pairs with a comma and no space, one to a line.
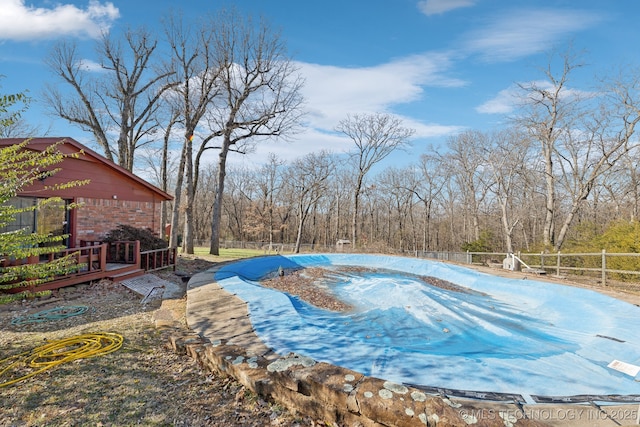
19,168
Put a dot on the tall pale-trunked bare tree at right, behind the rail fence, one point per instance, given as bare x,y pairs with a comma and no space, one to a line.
582,137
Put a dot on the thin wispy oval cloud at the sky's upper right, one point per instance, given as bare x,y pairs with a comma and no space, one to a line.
521,33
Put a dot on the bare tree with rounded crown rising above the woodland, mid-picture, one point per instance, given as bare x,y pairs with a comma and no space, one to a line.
375,136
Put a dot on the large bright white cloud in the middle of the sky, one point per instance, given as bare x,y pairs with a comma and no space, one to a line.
332,92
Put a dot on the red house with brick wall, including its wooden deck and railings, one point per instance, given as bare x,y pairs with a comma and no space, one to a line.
113,196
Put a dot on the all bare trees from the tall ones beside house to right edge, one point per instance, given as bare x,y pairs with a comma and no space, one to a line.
225,83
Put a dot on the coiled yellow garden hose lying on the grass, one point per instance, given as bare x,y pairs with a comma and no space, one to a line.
27,364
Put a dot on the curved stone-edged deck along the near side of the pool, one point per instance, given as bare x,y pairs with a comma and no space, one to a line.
223,341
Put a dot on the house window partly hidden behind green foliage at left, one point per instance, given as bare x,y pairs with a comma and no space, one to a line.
51,218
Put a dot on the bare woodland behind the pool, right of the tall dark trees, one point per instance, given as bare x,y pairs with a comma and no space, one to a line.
565,161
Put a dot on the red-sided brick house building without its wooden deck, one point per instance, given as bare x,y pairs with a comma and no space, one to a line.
113,196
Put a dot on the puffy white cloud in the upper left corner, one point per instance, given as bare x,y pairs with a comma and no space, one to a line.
21,22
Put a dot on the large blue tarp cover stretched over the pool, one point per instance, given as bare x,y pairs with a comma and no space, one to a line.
504,335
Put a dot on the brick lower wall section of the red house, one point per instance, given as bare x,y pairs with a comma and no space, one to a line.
96,217
